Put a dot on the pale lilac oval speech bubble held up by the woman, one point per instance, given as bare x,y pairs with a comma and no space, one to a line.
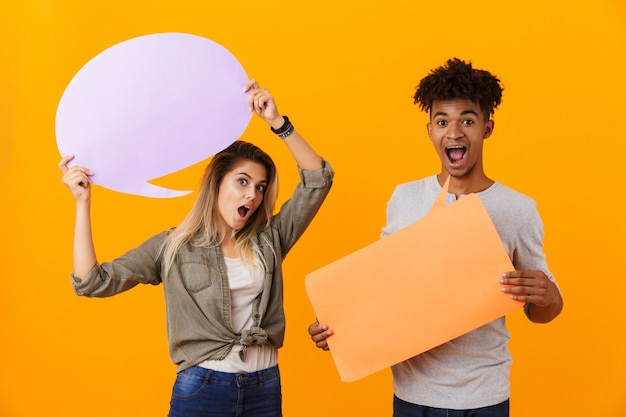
150,106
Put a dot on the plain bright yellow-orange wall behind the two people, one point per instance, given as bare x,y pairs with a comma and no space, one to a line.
345,72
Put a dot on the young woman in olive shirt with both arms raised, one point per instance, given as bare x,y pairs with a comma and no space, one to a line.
220,269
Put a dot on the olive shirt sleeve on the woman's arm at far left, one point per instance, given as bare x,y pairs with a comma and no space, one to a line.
141,265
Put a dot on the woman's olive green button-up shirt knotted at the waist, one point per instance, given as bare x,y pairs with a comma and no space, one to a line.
197,294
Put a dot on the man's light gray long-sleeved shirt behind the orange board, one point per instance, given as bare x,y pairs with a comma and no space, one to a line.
471,371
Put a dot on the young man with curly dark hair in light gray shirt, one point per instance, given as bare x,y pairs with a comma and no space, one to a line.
469,375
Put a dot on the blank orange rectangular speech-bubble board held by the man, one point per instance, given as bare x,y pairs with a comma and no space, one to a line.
422,286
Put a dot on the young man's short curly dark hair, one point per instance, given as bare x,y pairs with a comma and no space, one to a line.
457,79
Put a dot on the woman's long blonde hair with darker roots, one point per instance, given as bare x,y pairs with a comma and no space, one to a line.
202,225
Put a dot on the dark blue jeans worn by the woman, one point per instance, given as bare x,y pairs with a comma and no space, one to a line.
200,392
